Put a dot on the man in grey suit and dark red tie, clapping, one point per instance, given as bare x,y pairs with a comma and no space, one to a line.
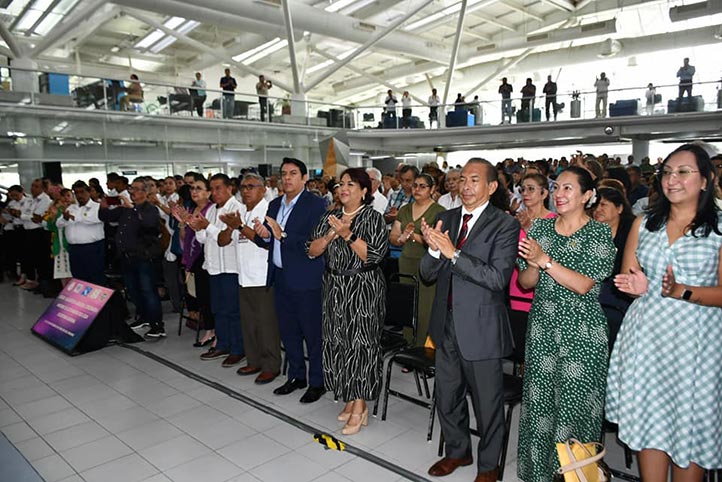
471,256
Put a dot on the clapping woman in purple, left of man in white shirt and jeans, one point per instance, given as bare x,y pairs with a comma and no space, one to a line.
192,259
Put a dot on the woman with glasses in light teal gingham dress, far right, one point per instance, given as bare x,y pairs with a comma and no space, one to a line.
665,376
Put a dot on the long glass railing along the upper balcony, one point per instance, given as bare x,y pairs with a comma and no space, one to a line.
158,99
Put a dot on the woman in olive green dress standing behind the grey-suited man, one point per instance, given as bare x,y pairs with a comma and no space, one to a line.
406,232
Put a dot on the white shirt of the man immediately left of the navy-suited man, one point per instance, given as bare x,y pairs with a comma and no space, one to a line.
252,260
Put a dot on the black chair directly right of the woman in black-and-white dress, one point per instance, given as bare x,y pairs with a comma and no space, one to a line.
402,296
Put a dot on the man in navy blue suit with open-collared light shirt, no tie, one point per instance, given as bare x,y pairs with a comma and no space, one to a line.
296,279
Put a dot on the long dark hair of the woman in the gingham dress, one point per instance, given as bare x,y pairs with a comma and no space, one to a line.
707,216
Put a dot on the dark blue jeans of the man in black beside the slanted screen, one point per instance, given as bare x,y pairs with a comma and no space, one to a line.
139,276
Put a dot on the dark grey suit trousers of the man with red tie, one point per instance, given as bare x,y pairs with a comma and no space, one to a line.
484,379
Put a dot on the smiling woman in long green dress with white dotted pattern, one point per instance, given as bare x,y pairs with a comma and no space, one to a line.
565,260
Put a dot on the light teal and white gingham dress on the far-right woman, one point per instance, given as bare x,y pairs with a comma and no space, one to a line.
665,376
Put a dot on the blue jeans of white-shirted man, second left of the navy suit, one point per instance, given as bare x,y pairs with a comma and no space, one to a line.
226,308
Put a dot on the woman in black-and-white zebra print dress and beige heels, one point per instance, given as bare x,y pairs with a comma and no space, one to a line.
353,240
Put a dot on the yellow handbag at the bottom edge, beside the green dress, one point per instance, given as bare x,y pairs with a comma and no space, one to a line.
581,462
